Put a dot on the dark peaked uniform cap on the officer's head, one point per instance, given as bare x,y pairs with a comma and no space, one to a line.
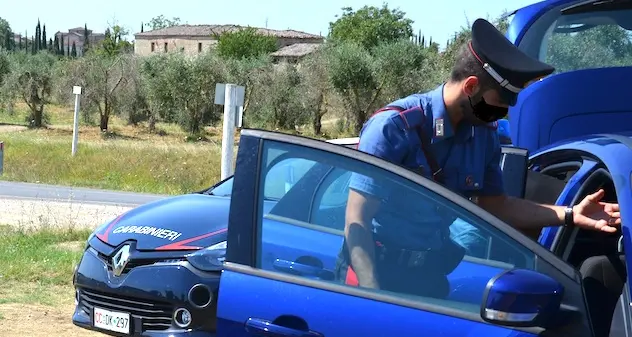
508,65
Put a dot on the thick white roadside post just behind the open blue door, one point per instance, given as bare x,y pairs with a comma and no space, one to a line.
232,97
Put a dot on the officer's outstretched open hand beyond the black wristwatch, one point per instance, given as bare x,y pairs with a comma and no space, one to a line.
593,214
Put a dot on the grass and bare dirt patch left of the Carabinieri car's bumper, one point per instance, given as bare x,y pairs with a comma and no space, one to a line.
36,293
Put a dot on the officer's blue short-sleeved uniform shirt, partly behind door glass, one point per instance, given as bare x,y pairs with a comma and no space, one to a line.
469,156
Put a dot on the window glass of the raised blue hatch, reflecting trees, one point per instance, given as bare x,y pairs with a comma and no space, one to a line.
583,38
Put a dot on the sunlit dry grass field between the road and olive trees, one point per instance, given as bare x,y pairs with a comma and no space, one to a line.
126,158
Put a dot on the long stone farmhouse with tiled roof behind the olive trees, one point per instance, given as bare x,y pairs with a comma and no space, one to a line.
193,39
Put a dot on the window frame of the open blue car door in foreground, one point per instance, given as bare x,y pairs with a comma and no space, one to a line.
245,212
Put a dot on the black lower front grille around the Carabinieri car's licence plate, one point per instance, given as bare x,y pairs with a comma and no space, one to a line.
152,315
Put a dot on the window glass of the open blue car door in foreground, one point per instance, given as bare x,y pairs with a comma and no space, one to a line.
410,218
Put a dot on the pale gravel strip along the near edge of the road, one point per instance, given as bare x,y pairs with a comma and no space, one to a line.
33,213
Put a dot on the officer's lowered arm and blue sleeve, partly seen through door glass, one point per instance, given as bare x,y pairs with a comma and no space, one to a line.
381,138
